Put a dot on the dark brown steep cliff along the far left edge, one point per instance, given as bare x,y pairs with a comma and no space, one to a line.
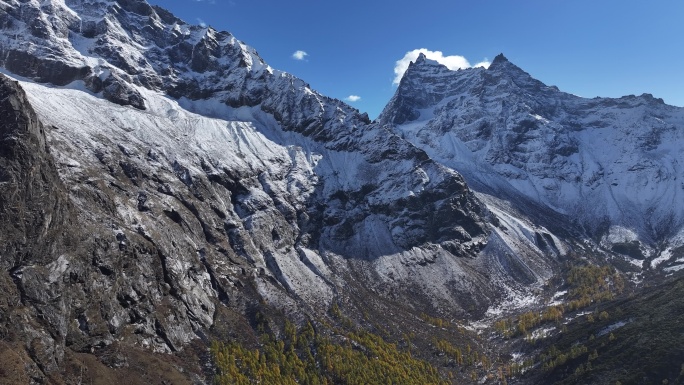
35,212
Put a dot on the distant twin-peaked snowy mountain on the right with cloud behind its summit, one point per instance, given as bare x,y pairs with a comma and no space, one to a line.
611,165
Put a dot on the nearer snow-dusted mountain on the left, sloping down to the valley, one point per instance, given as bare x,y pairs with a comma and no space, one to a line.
190,178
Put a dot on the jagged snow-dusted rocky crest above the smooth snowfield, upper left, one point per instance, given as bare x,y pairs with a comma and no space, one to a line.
102,44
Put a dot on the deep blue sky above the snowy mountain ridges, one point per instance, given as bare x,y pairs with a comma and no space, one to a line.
588,48
